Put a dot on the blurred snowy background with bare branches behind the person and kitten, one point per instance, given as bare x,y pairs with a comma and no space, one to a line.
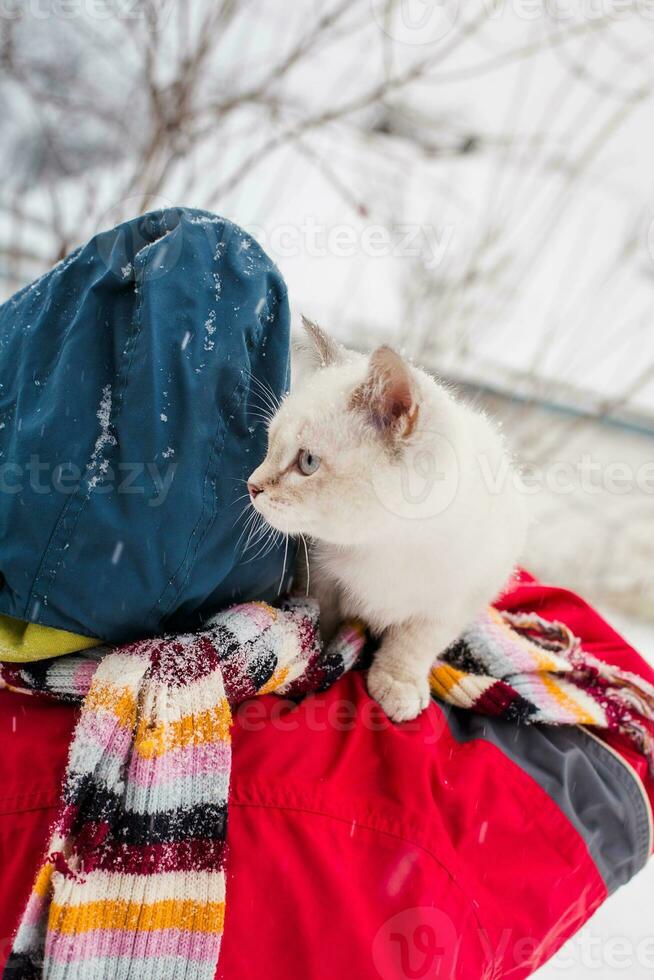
472,182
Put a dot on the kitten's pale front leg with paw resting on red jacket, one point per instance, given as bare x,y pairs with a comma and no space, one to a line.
399,677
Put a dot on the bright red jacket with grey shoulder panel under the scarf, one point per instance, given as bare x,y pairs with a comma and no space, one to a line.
449,847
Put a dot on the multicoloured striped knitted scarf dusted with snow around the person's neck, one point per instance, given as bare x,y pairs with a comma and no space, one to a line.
133,884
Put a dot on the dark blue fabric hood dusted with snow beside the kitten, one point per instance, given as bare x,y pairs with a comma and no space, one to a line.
129,421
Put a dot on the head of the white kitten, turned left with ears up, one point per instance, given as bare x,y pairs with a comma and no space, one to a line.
331,443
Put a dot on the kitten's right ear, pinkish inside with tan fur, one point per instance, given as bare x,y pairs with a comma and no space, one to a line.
388,394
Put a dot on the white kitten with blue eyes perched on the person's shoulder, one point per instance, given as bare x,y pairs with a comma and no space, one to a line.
410,501
